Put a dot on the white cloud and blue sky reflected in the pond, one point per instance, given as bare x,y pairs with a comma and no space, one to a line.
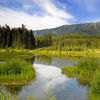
50,78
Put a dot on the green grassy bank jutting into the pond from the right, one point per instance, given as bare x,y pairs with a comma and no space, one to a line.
87,72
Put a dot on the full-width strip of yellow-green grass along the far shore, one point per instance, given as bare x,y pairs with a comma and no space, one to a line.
45,51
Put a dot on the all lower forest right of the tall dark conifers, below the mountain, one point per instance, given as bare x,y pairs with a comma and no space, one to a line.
71,42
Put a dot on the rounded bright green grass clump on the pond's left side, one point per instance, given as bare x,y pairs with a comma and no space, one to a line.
16,70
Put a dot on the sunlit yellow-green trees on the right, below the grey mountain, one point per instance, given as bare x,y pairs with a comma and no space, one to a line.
76,42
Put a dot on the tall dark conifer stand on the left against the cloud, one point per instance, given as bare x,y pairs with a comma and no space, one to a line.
16,37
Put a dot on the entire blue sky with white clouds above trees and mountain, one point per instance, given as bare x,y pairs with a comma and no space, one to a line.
41,14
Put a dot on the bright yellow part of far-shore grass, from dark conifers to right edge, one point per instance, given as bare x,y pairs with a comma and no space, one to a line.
90,53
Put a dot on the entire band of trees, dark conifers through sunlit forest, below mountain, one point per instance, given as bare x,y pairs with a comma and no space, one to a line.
24,38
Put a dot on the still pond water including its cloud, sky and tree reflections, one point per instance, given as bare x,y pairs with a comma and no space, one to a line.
50,80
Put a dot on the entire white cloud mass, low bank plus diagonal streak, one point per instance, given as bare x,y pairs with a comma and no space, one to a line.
52,16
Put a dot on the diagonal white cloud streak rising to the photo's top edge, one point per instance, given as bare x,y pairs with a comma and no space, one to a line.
50,8
